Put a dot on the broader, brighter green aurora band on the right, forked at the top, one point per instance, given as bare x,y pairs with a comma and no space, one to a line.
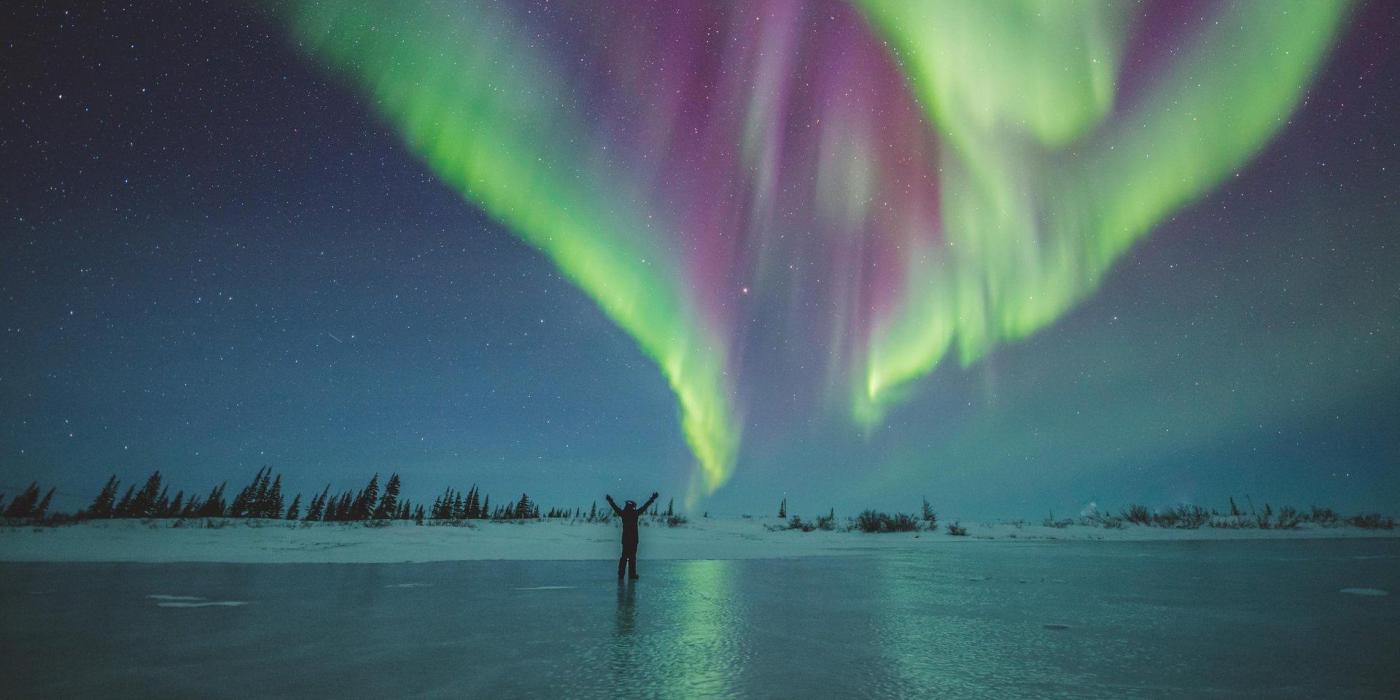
1041,190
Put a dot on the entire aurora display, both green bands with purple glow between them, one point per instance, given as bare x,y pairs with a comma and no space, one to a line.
965,188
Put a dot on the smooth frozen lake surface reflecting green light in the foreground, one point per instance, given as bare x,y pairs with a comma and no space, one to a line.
971,619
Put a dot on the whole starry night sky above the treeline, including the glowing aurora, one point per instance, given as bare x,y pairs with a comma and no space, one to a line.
817,251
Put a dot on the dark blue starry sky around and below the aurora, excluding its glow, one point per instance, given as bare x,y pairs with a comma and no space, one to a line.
215,258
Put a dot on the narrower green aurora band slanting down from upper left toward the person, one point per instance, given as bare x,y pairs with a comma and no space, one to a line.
493,122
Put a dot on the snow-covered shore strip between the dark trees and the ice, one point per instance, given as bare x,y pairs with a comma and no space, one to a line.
703,538
